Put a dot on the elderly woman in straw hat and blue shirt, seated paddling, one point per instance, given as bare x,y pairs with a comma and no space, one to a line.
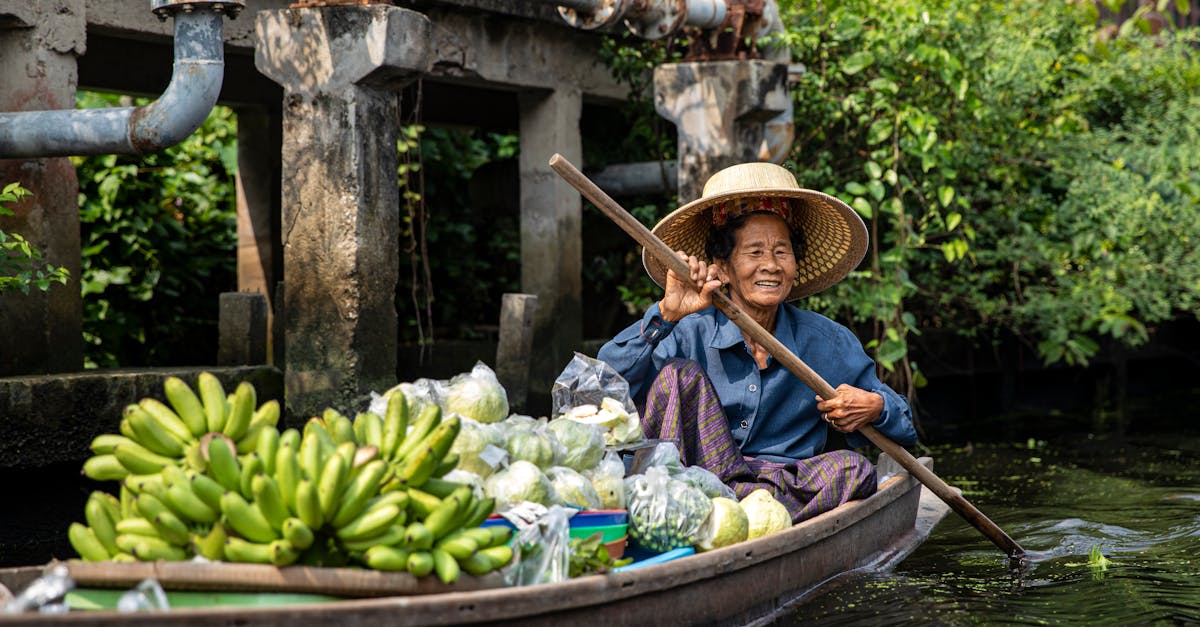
734,409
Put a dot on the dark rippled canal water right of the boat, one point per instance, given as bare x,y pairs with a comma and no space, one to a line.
1112,527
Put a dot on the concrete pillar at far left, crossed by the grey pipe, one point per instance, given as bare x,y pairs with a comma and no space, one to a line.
39,45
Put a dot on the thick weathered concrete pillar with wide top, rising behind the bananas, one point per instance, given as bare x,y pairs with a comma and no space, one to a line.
341,70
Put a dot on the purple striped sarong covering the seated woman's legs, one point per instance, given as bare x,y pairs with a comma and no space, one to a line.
683,405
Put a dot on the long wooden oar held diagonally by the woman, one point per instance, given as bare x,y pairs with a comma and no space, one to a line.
785,356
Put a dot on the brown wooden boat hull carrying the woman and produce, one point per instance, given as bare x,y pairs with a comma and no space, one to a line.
735,586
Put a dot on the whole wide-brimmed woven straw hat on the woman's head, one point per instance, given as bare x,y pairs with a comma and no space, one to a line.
836,237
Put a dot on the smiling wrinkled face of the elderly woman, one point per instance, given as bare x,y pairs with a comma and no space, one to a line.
763,267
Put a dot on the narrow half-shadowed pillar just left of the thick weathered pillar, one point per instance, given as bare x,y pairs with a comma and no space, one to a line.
259,201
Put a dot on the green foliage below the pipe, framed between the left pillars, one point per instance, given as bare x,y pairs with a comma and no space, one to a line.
159,235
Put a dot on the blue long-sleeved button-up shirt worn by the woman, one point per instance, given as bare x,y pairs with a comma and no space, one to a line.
772,414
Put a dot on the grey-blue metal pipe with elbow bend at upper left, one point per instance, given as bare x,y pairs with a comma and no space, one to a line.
181,110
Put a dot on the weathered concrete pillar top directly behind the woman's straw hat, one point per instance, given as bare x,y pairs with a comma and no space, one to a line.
725,112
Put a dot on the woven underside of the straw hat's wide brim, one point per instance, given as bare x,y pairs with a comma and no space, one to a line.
835,235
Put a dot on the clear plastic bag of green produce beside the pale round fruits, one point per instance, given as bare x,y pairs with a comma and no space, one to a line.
664,513
